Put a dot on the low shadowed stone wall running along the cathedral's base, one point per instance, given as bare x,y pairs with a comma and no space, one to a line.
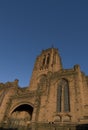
51,127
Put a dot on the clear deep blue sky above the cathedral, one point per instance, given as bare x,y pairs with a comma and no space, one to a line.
28,26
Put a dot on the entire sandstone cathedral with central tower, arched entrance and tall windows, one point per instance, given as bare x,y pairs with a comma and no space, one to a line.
56,98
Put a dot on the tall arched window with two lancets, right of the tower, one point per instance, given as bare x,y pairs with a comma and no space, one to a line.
63,104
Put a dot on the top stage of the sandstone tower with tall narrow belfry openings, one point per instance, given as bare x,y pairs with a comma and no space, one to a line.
48,60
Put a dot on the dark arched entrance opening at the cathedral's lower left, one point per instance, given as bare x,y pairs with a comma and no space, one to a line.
21,116
